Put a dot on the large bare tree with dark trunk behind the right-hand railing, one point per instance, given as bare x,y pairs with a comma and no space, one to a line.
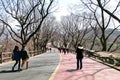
103,23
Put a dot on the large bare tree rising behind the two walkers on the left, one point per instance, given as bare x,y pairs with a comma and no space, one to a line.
21,12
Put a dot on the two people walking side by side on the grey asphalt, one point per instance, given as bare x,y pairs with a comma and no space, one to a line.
18,55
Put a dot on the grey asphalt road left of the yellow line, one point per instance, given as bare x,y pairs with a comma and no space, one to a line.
41,67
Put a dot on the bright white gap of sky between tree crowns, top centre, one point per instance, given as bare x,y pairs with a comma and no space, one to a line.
63,7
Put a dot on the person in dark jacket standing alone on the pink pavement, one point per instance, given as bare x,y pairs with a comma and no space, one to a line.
79,57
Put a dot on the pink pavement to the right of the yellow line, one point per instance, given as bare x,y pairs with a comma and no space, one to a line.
91,70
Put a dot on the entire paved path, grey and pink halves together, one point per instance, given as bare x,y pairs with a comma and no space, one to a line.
50,66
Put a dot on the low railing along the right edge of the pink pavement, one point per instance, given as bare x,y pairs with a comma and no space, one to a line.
104,57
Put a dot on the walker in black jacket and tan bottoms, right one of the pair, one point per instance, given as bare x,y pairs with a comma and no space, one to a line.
25,57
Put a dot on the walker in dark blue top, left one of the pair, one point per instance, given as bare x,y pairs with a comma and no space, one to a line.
16,56
